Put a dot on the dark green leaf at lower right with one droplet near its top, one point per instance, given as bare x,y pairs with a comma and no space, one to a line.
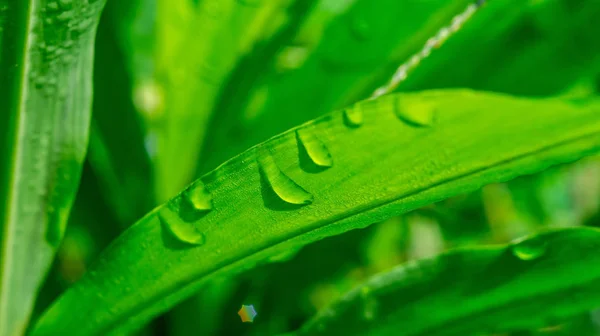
524,285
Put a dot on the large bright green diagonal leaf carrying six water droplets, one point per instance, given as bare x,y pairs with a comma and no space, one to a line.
257,212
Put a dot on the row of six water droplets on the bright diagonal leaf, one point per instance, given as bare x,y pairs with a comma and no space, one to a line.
181,213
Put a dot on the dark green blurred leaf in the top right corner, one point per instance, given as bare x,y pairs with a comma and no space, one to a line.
529,51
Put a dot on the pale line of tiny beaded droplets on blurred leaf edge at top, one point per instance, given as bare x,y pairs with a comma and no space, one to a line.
434,42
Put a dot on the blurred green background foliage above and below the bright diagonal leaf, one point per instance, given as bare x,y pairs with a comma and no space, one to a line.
182,85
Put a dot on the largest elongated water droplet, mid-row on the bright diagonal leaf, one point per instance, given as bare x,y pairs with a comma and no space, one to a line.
286,189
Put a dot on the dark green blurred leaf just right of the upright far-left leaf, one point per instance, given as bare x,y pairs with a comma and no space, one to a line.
116,149
